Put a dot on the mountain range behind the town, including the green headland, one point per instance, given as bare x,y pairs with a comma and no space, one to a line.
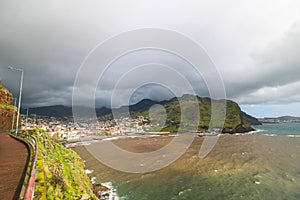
235,121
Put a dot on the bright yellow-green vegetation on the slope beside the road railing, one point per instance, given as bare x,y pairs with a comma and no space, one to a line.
60,171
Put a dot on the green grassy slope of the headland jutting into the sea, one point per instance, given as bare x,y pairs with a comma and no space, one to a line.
173,110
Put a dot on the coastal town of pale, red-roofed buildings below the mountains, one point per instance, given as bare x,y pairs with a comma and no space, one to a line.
65,128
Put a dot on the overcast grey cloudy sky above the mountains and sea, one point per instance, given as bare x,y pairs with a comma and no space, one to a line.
254,46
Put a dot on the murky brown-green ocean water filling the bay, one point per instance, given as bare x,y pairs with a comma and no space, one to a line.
262,165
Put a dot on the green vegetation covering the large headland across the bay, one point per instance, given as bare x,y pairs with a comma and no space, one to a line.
187,104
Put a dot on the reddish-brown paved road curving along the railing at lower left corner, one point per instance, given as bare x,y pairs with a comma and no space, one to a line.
13,161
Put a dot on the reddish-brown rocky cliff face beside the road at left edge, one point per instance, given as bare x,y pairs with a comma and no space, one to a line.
6,109
